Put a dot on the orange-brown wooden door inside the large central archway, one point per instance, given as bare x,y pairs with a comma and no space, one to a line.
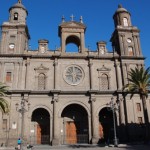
71,133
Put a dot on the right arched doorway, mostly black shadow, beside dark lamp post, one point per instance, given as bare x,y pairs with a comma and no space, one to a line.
106,127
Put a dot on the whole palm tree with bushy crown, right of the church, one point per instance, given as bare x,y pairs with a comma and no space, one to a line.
139,83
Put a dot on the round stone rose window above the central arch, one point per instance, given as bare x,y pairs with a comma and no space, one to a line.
73,75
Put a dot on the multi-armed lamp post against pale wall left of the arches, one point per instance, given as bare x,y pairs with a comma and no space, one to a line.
21,109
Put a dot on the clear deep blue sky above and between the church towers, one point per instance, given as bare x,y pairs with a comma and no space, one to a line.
44,17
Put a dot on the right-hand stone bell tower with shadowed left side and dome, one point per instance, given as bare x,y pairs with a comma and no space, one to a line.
125,39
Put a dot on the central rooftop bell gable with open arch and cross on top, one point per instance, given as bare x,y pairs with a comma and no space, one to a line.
72,32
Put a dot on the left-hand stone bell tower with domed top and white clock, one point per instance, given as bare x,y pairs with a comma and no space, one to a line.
15,33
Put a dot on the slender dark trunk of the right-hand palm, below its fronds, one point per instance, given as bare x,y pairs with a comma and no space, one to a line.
146,118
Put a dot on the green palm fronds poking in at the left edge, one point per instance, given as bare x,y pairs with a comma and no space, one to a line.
4,106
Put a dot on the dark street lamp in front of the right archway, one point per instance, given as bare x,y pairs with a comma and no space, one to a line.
112,106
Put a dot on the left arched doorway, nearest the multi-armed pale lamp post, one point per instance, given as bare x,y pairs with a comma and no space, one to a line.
42,127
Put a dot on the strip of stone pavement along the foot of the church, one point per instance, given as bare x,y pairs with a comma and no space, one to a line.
84,147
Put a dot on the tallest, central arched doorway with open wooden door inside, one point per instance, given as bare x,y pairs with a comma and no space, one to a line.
75,121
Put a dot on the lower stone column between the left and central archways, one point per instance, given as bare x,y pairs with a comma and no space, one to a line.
55,140
